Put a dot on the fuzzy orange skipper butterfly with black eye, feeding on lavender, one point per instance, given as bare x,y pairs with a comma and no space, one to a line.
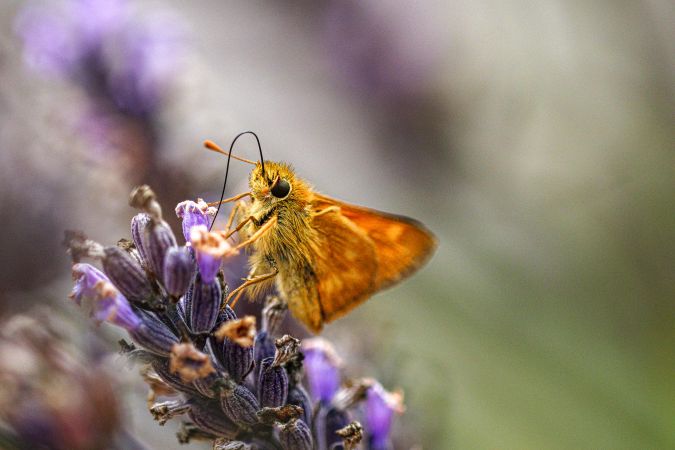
325,256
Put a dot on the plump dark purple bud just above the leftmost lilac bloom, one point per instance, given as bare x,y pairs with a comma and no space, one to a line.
126,274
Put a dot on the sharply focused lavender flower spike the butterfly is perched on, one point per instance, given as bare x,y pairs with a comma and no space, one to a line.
234,384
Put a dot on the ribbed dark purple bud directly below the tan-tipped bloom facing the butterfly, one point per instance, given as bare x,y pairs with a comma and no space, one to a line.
203,305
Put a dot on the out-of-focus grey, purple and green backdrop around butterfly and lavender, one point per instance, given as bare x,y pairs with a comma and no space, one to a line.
536,140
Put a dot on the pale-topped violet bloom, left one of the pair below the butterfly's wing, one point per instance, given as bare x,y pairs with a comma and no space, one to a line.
322,368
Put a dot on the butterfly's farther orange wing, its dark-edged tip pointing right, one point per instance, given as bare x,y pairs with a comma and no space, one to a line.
402,245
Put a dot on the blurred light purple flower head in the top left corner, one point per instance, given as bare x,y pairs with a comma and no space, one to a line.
100,45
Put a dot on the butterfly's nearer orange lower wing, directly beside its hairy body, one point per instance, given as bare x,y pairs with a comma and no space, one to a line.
344,265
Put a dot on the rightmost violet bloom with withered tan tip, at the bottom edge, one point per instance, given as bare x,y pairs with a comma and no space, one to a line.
380,408
